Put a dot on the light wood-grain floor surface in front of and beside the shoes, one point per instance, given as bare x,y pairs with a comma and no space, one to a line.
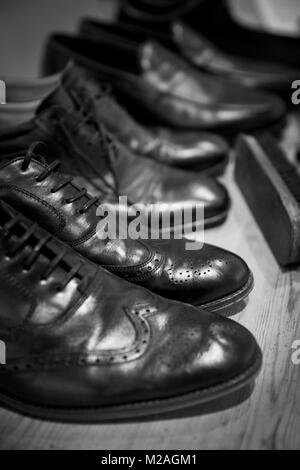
268,419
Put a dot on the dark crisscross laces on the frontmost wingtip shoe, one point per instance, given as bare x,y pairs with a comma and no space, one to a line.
37,249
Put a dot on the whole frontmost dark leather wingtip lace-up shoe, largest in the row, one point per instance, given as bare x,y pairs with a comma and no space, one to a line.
85,346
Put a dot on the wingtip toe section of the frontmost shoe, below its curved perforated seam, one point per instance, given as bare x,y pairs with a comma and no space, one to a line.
202,355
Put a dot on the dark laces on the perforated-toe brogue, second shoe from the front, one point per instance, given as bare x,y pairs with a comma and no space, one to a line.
52,168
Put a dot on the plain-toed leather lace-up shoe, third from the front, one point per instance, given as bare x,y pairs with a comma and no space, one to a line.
75,135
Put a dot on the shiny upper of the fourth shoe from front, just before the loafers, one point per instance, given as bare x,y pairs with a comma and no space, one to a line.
199,151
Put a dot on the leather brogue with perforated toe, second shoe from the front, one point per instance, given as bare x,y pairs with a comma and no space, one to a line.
210,277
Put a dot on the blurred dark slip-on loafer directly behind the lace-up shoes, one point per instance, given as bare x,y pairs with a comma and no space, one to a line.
164,89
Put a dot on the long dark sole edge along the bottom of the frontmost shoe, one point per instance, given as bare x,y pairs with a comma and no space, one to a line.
137,409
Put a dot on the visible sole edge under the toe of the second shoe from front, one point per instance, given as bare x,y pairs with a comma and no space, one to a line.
229,300
